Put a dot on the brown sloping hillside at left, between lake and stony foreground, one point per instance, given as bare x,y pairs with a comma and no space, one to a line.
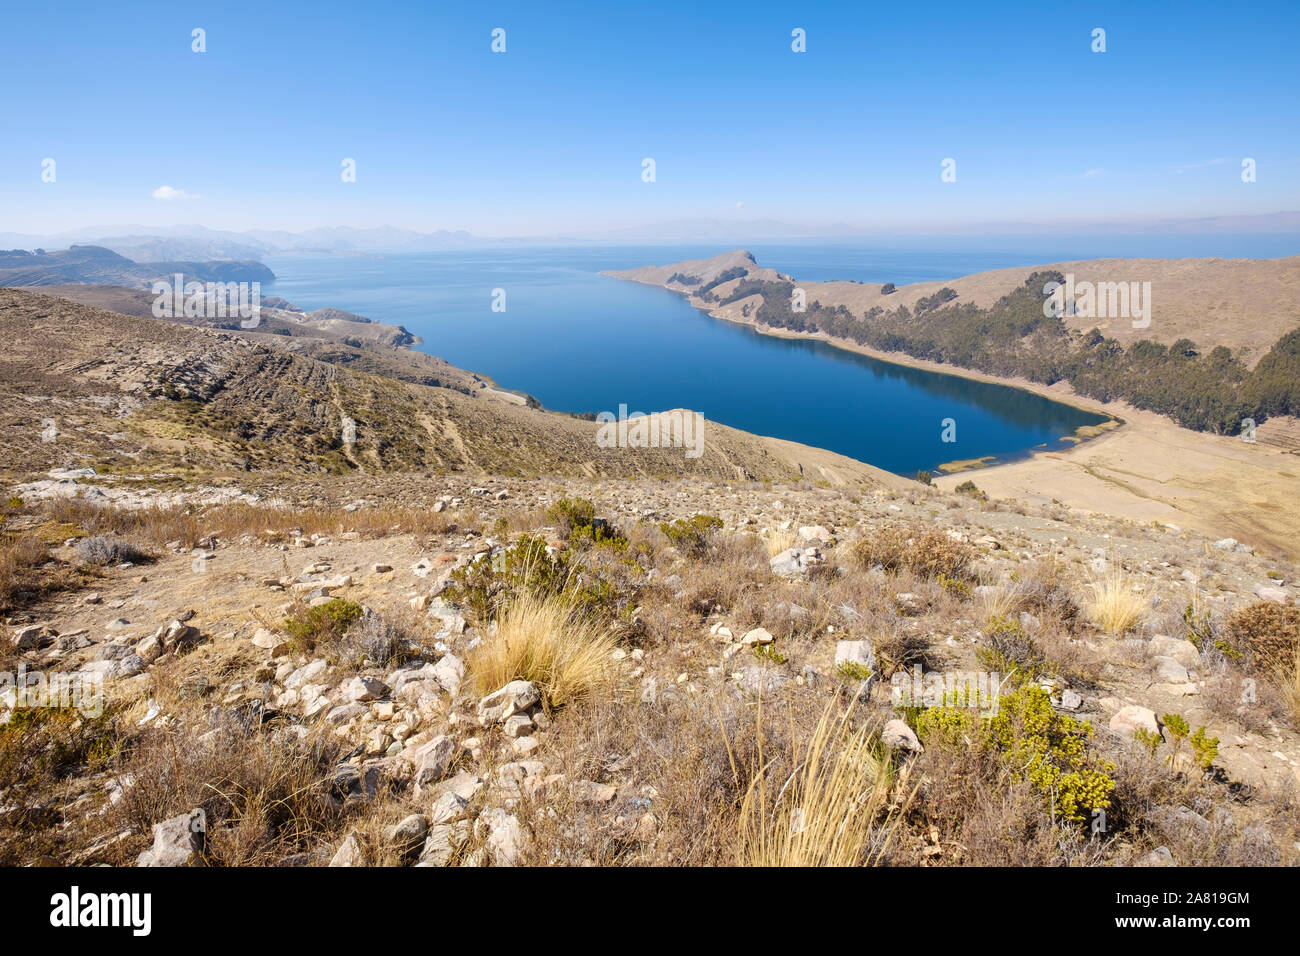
133,393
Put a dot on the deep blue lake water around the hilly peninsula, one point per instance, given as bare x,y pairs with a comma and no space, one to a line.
580,341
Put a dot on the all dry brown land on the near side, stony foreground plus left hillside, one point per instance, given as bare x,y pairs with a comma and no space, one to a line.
462,634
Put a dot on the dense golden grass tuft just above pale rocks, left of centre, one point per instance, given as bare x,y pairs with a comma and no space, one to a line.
548,642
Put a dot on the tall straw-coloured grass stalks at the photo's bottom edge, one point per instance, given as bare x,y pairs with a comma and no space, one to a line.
834,810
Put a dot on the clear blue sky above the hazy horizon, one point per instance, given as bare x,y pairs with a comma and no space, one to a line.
549,137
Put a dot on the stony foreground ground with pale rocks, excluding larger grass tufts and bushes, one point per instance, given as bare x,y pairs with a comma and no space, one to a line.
424,765
